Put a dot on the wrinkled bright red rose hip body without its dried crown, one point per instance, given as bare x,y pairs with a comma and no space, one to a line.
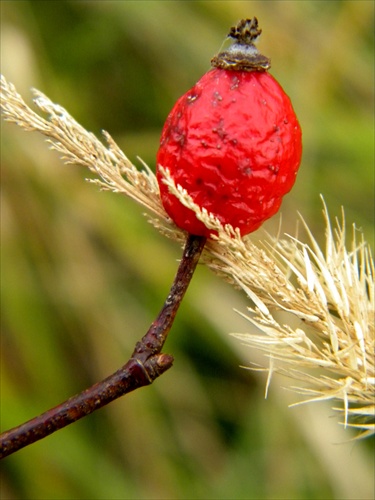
234,143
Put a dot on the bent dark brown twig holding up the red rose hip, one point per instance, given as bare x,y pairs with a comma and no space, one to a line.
145,365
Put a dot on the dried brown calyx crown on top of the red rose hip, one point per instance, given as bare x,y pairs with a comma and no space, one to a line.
243,54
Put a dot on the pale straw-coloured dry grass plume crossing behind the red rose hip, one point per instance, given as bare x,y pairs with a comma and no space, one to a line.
313,307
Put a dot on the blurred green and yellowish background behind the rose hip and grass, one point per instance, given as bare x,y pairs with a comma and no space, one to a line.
83,274
